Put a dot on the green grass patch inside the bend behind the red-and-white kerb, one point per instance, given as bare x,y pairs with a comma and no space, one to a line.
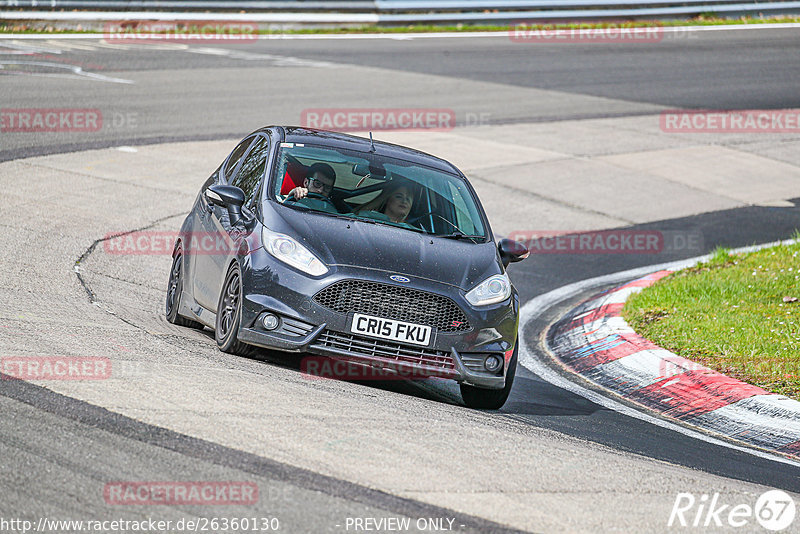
729,314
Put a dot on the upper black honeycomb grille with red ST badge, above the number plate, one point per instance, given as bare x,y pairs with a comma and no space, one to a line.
394,302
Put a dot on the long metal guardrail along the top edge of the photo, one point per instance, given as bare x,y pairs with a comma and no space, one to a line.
381,11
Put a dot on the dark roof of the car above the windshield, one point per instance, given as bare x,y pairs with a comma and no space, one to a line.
296,134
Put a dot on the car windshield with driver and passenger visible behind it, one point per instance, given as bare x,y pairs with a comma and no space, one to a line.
376,189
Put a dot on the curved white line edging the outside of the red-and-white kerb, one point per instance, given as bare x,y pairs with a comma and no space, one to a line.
535,307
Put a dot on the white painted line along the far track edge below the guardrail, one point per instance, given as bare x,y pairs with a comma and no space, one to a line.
409,36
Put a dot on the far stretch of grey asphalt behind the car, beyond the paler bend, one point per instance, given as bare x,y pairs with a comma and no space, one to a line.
189,98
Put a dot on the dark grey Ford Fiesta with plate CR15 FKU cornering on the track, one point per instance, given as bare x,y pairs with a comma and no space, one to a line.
323,243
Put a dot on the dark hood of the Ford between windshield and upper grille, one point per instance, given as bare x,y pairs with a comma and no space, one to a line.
345,242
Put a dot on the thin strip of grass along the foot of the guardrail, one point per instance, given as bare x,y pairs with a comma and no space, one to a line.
703,20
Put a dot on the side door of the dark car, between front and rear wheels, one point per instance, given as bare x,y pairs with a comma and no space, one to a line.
209,248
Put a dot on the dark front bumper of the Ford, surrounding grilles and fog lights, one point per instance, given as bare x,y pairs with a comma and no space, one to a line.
308,327
